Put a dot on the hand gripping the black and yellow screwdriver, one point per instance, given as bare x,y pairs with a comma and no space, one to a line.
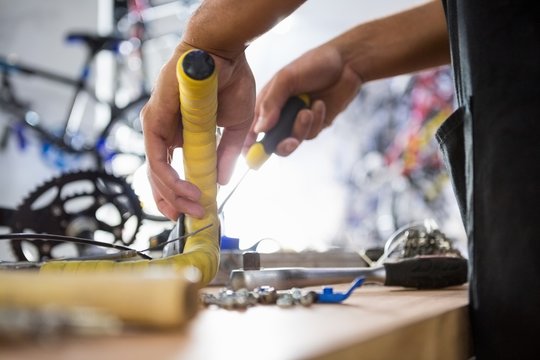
323,74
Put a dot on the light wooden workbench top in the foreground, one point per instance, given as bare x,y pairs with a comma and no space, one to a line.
374,323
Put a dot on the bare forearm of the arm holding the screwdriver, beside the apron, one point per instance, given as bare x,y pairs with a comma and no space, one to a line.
409,41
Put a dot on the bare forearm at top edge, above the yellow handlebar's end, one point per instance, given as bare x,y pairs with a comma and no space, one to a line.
226,27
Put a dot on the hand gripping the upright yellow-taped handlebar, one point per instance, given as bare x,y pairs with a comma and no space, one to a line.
162,128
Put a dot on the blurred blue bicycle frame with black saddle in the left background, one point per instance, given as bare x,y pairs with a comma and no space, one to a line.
66,139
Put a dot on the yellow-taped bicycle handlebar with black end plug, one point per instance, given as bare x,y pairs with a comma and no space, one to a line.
197,79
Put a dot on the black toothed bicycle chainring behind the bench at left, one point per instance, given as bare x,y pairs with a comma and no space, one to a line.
88,204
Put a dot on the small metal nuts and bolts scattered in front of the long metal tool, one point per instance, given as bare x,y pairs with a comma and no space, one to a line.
243,298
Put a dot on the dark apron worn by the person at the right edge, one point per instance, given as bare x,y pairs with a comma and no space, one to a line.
491,145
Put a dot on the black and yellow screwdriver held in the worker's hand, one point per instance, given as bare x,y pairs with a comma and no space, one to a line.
261,151
